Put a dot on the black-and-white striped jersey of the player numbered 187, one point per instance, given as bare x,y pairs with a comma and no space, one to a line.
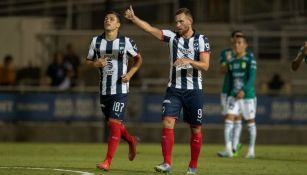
110,75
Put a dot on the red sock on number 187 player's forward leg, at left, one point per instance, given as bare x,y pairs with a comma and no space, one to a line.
113,140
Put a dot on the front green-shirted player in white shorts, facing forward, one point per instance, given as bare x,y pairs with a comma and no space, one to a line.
242,74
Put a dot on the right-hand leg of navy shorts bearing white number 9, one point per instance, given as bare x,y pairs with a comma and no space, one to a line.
193,107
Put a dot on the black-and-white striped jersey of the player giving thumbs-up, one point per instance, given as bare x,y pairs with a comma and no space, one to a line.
183,77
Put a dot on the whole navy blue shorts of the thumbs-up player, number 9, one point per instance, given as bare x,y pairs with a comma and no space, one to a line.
190,101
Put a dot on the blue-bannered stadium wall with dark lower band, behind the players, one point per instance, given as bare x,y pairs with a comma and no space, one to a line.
76,117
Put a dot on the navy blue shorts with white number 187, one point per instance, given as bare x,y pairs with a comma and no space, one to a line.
113,106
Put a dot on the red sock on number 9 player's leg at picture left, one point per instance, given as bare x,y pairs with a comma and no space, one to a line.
167,144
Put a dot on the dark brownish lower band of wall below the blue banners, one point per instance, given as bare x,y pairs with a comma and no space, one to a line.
148,132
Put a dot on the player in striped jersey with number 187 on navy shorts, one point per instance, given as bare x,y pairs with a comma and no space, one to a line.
109,53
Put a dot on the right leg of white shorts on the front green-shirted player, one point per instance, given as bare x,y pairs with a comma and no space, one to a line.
248,108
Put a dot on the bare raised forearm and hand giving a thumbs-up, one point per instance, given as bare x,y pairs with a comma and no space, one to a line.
129,14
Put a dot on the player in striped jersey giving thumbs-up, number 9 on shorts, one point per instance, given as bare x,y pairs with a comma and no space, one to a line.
189,56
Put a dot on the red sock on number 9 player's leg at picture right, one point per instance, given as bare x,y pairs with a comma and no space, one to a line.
195,146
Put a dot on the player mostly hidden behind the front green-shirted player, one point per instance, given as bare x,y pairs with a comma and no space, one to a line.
232,128
